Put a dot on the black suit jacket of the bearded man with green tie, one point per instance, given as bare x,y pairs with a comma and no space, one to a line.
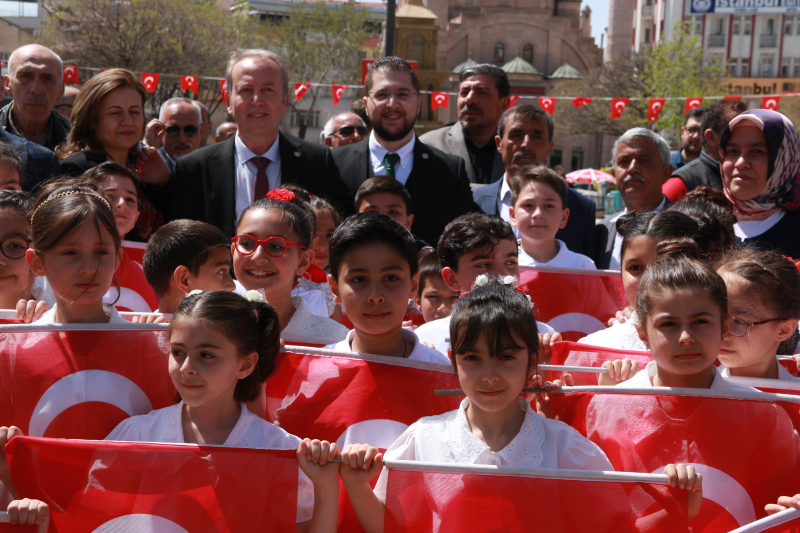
438,185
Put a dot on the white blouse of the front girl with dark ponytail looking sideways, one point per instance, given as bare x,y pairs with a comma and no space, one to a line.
250,431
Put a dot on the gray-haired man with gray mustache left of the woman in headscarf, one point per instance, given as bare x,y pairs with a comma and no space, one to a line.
641,166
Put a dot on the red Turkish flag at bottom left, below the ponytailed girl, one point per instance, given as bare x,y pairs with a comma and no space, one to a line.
135,486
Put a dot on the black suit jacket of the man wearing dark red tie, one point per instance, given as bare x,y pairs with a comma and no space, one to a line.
204,184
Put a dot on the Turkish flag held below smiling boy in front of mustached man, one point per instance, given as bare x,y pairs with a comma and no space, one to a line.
574,302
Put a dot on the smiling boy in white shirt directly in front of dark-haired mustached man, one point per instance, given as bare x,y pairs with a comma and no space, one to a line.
538,210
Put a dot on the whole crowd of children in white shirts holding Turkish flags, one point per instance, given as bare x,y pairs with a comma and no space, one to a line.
296,270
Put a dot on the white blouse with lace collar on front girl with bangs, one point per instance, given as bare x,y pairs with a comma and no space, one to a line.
540,443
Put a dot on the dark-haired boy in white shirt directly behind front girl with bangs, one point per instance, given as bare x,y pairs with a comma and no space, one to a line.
471,245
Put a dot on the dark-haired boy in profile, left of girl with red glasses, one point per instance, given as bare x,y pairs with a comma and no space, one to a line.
185,255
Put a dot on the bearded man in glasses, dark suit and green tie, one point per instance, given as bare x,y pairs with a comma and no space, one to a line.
437,182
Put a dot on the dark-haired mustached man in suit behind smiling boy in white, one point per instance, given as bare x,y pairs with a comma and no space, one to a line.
524,137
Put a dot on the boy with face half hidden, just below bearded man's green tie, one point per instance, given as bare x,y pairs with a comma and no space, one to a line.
387,196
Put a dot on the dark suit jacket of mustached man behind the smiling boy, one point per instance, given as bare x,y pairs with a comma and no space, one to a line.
579,234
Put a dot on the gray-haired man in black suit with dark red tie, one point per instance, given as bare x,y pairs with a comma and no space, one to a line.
216,183
